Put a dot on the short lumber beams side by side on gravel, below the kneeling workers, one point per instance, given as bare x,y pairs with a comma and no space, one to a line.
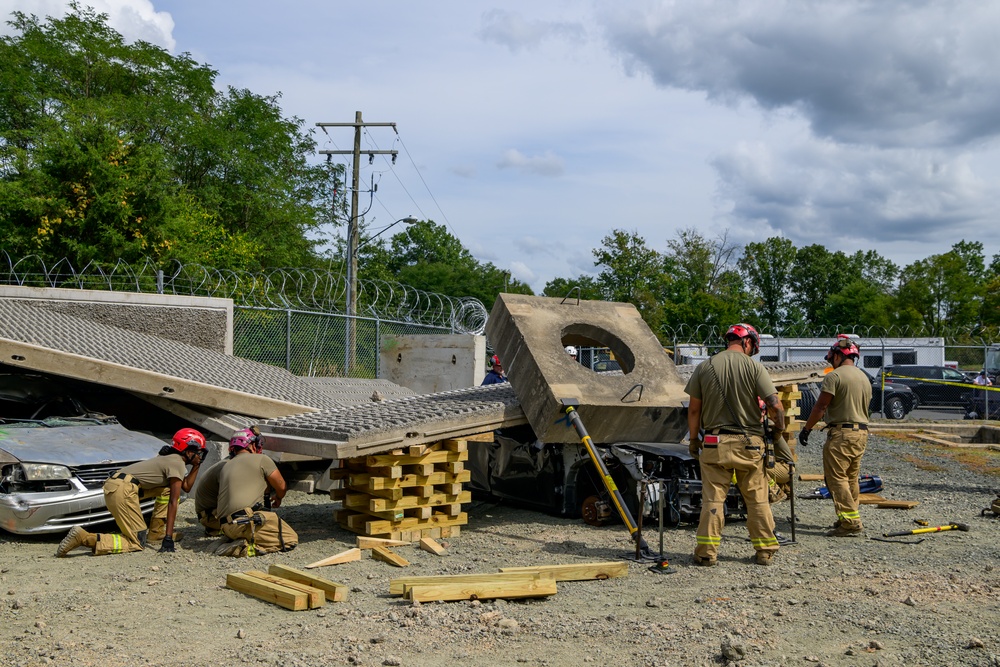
287,587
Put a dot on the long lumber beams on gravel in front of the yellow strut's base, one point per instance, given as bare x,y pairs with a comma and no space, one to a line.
509,583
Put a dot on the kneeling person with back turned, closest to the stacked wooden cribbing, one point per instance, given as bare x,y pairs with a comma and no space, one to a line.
242,483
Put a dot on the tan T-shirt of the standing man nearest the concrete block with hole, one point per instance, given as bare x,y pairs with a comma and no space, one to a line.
743,380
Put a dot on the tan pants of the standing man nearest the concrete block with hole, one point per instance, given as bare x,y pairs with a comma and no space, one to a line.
733,455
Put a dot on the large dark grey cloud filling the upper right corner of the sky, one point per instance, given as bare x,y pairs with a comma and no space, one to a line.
918,74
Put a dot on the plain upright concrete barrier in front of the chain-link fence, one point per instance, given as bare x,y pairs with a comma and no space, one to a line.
430,363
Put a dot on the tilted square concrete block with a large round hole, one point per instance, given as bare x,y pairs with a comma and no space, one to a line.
644,403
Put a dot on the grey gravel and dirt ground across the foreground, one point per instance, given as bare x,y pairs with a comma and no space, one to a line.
826,601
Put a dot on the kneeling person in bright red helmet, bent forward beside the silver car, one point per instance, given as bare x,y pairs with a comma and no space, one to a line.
162,476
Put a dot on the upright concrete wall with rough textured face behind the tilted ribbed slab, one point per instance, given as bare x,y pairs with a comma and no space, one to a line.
202,321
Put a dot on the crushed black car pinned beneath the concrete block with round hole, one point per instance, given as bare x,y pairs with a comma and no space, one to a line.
561,479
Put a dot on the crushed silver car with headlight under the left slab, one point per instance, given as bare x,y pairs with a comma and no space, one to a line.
55,456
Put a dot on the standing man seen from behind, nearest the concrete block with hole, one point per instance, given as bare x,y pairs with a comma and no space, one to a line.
727,438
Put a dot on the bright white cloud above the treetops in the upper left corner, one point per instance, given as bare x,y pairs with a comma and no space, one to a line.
134,19
